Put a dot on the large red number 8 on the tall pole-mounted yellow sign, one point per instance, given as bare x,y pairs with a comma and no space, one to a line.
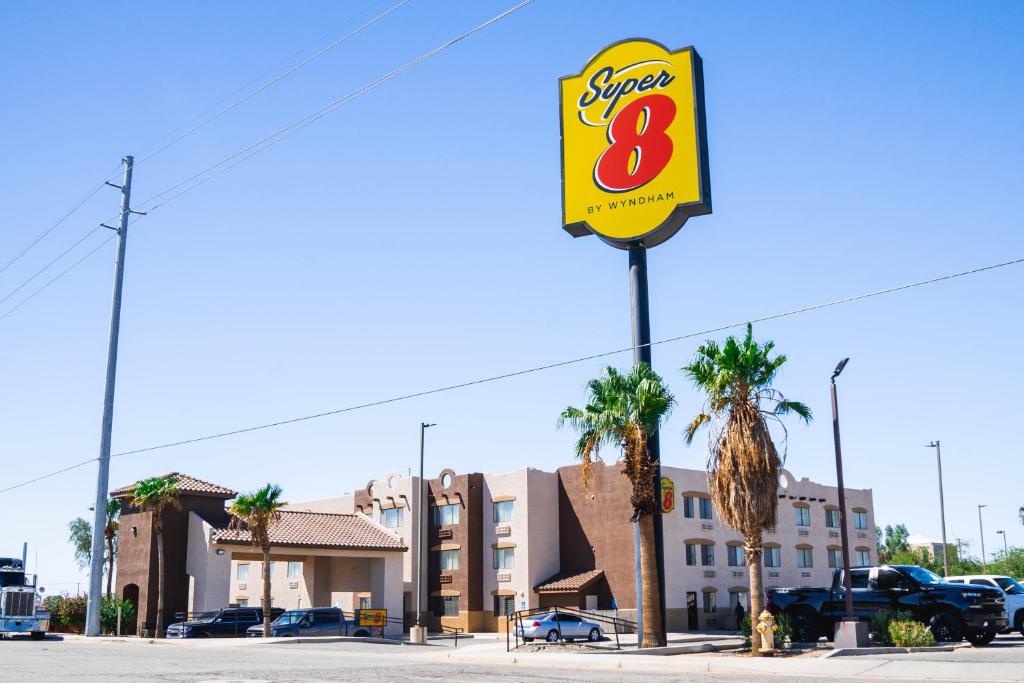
653,115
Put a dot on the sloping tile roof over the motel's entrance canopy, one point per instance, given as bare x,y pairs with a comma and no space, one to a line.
319,530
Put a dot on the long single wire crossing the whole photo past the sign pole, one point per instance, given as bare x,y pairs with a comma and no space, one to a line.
530,371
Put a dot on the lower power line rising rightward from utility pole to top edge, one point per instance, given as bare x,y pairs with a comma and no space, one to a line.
296,126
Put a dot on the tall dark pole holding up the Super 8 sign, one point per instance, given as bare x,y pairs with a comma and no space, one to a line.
641,308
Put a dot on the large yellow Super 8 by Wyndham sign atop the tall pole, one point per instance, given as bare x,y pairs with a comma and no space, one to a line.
634,145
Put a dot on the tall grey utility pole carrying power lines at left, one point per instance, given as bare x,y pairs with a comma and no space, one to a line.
103,478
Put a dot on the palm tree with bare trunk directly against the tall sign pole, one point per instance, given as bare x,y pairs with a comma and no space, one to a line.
624,411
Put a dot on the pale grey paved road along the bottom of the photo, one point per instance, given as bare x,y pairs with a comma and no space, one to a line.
80,660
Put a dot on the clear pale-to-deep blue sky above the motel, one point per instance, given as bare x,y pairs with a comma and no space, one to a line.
412,240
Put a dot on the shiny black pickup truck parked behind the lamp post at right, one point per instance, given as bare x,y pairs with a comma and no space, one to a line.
953,612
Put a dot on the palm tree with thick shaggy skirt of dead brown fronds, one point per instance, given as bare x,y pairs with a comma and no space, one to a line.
744,465
